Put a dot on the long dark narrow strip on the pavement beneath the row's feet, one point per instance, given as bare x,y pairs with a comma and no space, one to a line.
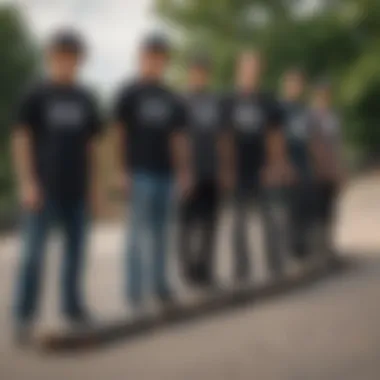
125,330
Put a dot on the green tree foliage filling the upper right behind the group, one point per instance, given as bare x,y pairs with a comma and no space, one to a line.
340,39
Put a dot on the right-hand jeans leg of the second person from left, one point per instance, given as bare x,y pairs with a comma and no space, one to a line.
159,219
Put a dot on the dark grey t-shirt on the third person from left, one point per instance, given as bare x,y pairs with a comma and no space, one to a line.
205,122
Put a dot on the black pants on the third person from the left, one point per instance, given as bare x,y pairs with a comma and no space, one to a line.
198,218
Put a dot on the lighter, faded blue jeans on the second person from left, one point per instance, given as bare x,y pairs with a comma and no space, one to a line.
149,219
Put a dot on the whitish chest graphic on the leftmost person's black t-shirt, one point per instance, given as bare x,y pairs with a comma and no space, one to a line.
65,115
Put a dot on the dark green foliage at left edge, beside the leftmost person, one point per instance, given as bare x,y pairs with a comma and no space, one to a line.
18,61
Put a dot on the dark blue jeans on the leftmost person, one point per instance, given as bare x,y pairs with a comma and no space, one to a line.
71,218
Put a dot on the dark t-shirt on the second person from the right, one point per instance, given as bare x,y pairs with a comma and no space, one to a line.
298,134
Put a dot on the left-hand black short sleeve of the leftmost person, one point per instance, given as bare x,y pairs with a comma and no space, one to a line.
26,111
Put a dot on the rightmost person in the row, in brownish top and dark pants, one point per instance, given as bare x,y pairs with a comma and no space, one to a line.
327,160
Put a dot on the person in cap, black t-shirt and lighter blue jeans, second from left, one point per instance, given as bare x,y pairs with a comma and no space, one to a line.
152,143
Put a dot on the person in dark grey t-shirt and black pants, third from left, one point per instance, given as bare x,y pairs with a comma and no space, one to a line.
198,212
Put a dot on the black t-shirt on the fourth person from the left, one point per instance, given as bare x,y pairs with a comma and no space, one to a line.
251,117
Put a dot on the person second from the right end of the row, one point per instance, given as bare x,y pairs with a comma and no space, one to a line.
298,141
